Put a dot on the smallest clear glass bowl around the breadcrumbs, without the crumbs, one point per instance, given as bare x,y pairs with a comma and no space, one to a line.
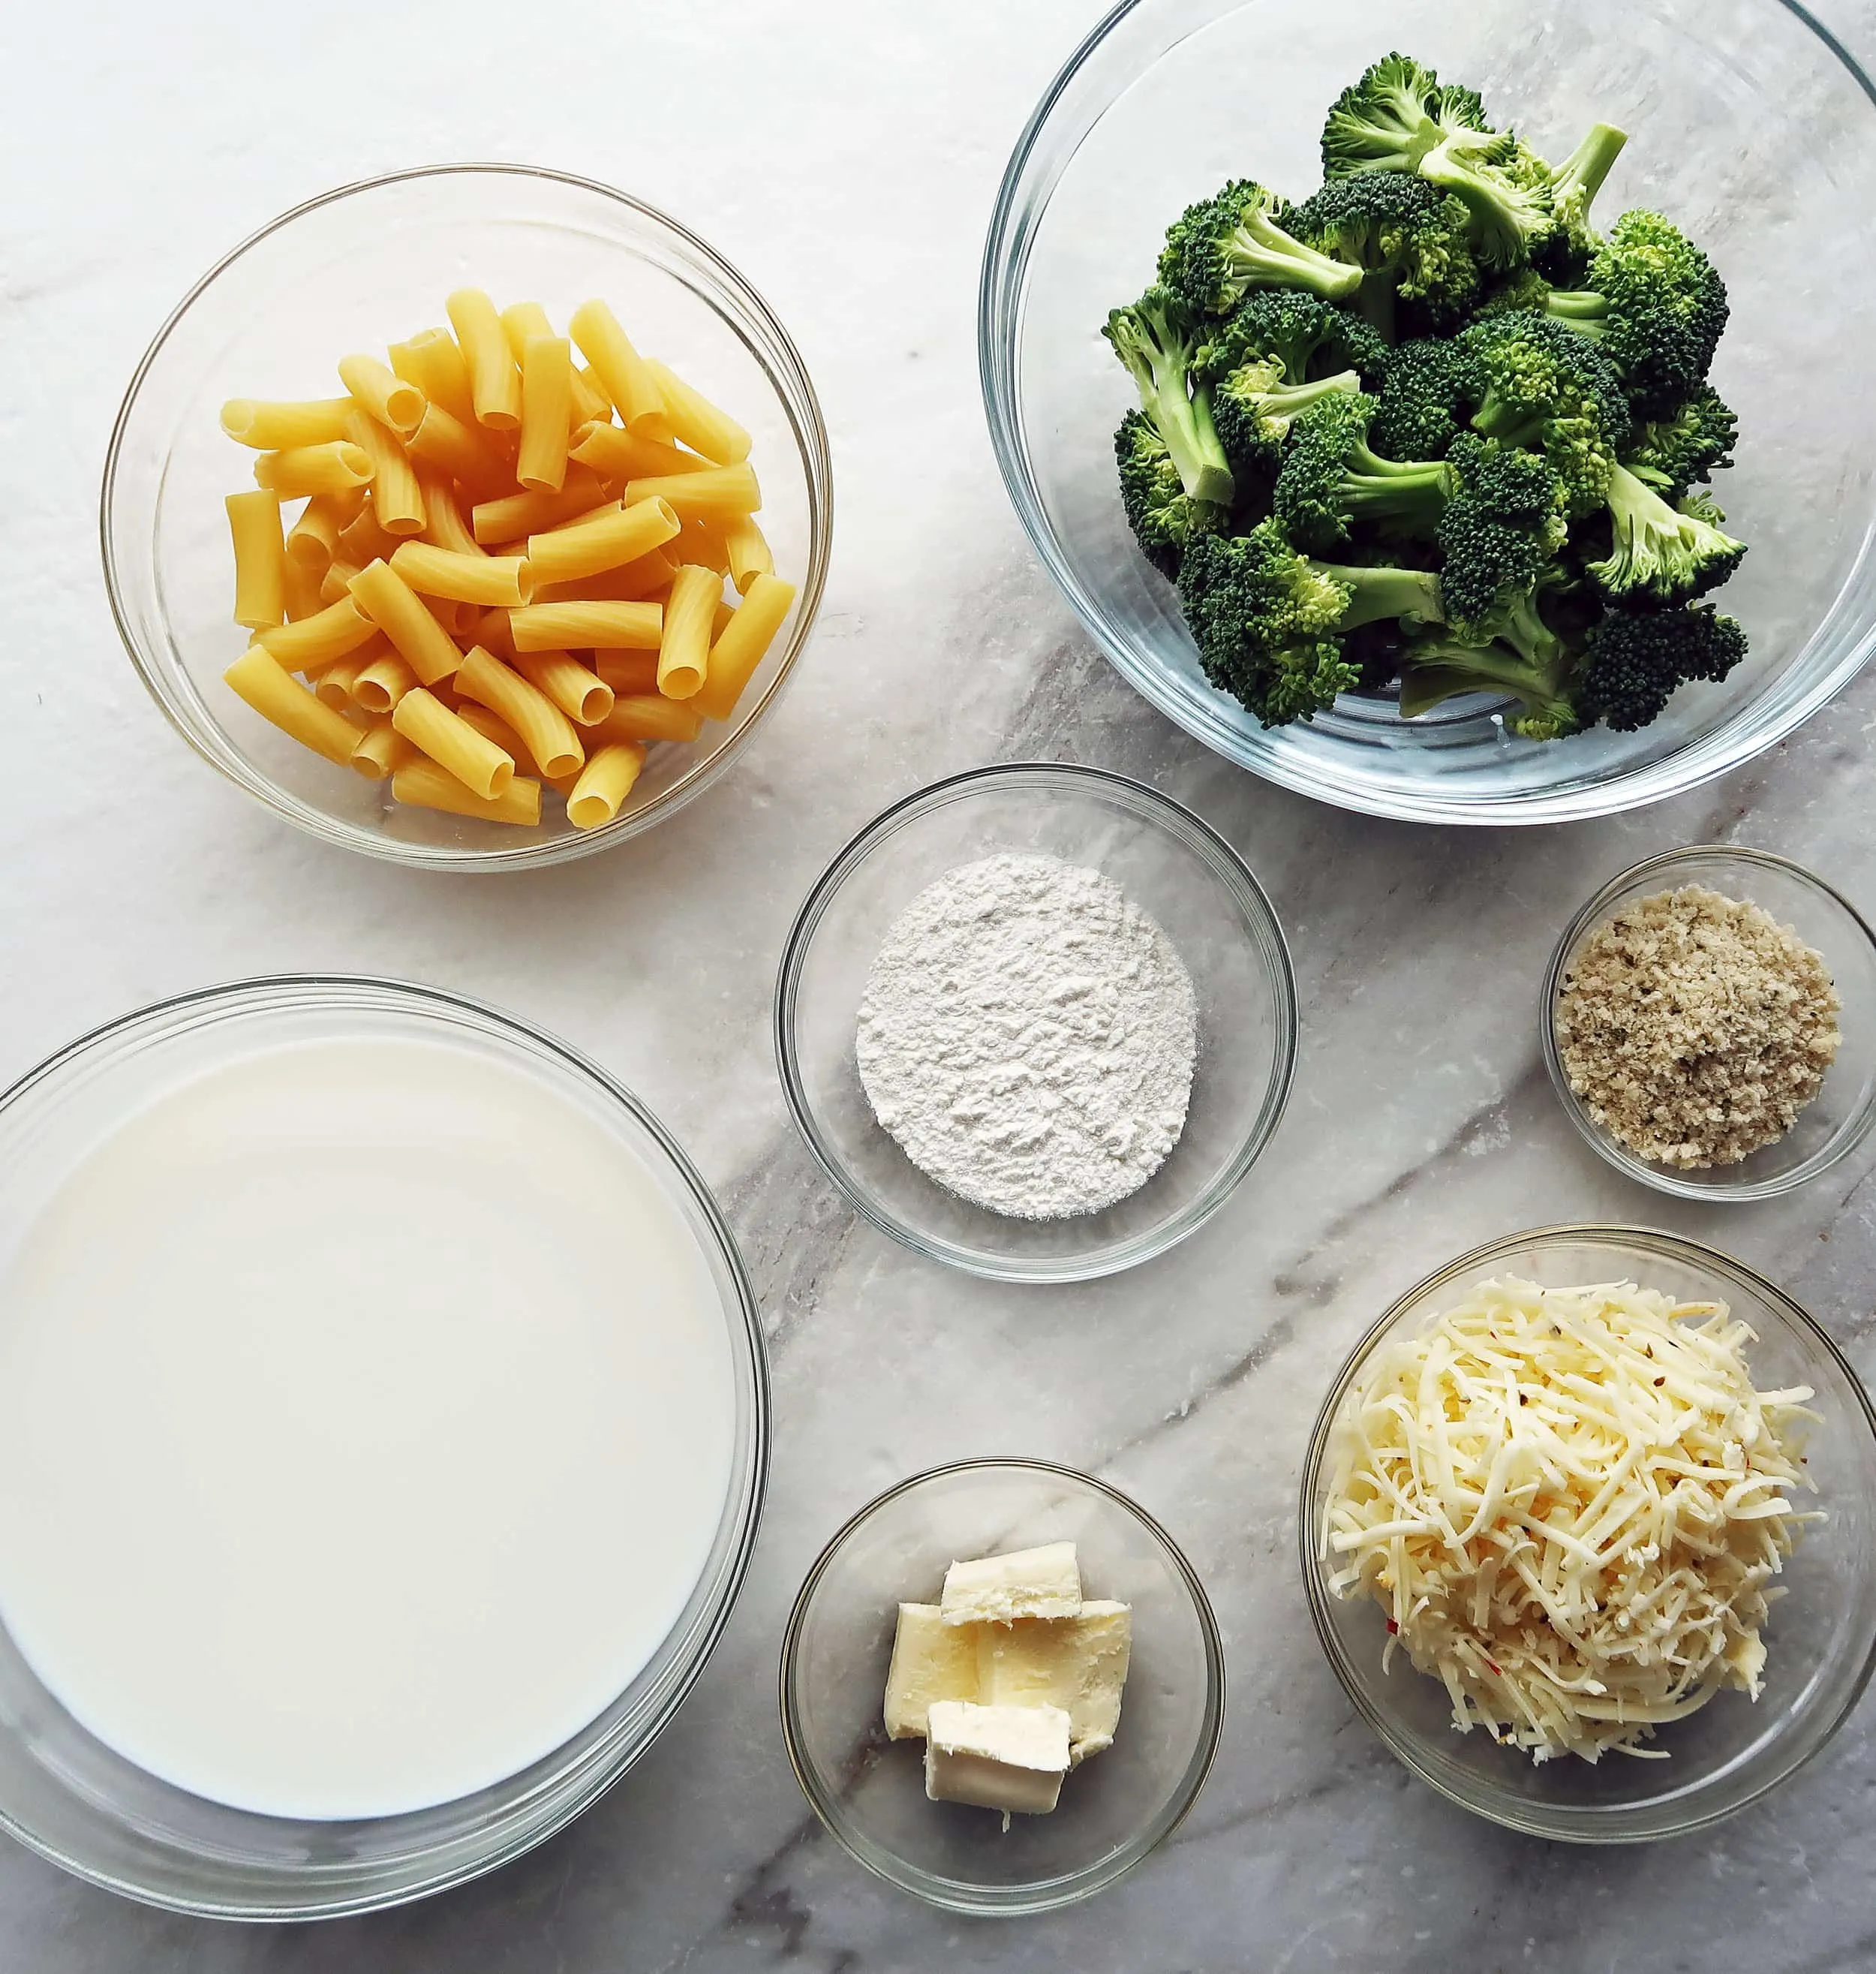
1840,1118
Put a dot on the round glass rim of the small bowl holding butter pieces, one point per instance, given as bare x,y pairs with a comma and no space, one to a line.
1048,1896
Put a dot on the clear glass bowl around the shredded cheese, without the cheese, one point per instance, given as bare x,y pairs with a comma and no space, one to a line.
1822,1639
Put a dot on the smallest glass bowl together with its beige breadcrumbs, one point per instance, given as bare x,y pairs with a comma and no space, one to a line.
1711,1024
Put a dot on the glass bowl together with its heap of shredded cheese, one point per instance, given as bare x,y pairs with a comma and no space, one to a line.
1587,1533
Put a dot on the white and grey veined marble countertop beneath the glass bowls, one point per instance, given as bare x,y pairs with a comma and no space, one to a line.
849,165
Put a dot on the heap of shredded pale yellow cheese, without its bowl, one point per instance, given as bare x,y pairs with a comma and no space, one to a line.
1569,1503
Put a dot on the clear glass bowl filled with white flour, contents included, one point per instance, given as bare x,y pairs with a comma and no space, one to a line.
1037,1022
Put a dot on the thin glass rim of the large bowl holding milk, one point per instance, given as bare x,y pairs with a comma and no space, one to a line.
585,1782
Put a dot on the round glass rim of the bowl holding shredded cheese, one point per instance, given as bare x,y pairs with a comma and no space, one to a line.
1559,1823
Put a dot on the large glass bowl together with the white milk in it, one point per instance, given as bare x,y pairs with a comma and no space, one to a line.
384,1428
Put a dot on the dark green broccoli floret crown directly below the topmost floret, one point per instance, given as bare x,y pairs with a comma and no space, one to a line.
1409,242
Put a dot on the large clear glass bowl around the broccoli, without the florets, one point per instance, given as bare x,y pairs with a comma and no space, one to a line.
1763,159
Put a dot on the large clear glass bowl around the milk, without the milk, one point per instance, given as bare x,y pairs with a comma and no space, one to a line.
82,1805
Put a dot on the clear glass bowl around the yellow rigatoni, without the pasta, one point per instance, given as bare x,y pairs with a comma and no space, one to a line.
358,269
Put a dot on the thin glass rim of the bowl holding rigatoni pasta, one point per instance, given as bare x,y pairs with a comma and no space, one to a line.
812,441
